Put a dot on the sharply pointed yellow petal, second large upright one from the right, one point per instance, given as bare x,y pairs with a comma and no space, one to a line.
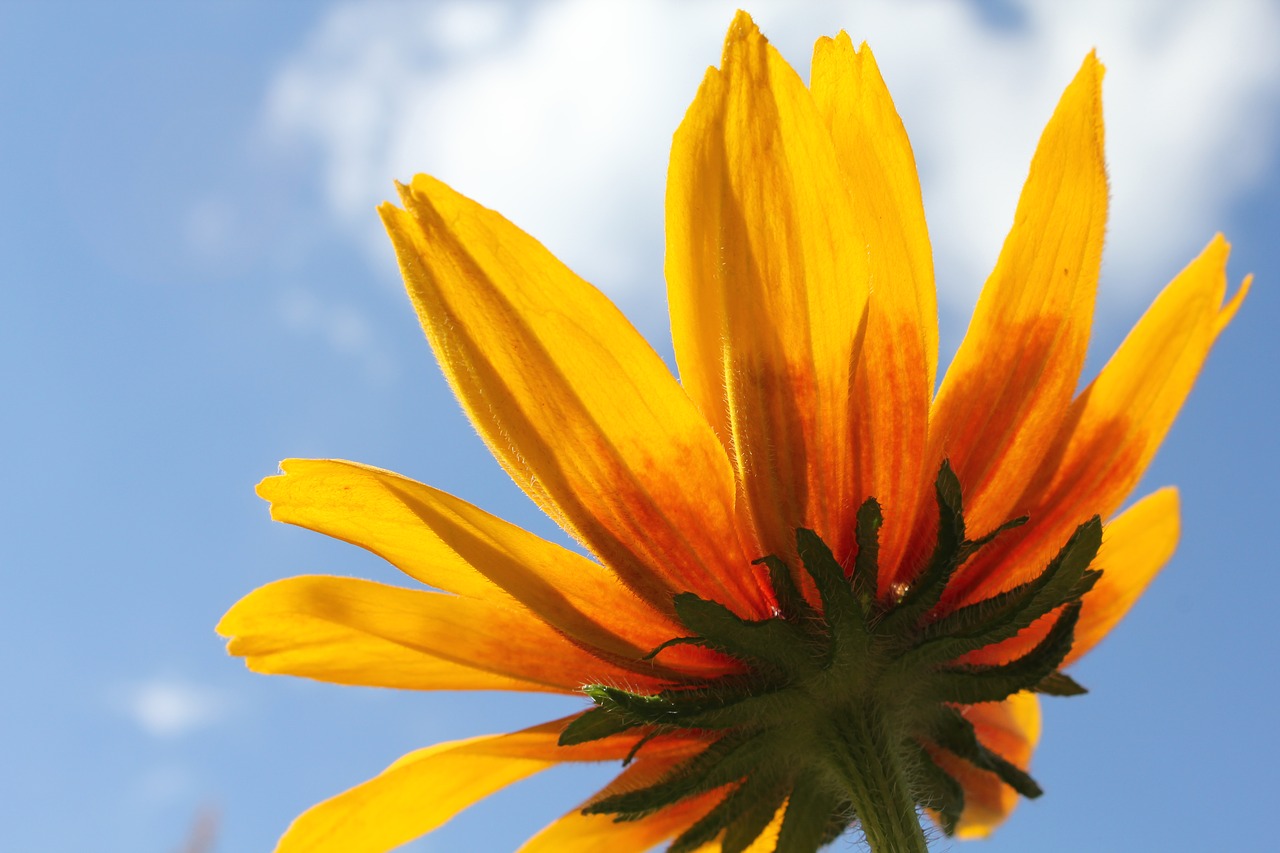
1004,396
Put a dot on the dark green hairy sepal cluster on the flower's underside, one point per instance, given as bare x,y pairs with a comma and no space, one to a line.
831,697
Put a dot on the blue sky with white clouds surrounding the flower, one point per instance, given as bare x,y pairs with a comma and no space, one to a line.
194,286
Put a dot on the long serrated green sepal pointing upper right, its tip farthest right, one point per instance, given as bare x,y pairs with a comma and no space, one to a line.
1003,617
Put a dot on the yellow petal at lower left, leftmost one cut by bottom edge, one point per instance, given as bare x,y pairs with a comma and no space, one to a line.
427,788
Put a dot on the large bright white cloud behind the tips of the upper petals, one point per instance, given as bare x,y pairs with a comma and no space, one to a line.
560,113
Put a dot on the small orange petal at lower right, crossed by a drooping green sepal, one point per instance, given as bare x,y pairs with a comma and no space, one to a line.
1012,729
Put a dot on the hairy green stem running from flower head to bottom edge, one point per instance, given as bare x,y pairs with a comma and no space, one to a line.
868,761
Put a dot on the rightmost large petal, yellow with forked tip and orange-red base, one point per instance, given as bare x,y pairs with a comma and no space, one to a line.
1116,426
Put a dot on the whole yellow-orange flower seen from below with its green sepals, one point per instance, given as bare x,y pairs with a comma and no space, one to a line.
783,599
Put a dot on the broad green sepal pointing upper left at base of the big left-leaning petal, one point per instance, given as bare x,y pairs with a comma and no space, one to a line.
774,642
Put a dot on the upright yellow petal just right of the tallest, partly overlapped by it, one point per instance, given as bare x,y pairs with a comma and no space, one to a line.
894,384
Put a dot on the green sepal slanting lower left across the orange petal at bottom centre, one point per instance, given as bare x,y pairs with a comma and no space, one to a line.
726,761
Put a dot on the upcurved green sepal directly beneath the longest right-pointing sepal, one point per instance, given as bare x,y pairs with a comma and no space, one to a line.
966,685
